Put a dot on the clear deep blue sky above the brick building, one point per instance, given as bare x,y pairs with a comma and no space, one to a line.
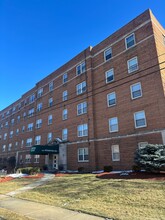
38,36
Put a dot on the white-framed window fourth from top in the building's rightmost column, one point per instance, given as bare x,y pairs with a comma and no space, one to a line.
140,119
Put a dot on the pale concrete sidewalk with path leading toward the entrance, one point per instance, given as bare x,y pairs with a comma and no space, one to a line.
40,211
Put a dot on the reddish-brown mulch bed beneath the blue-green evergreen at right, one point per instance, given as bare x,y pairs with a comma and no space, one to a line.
133,175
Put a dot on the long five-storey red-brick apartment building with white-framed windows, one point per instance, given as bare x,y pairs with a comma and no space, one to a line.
103,104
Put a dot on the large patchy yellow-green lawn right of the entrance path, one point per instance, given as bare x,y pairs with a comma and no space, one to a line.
117,199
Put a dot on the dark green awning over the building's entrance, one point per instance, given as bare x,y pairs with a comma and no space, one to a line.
44,149
